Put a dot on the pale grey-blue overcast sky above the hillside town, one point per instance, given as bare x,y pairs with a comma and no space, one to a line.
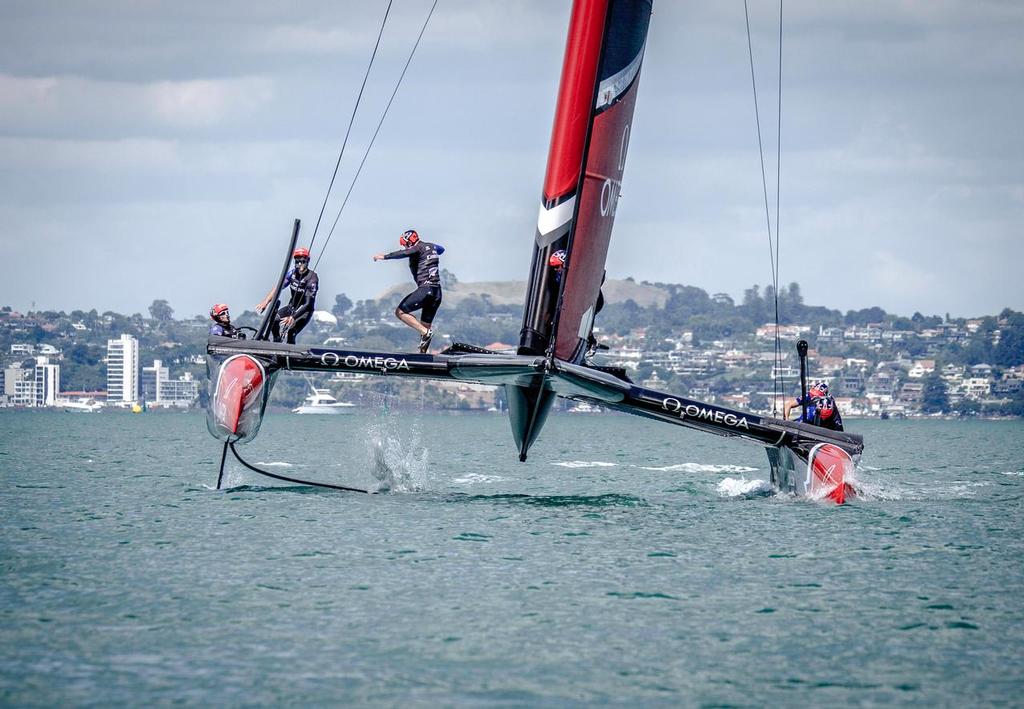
161,150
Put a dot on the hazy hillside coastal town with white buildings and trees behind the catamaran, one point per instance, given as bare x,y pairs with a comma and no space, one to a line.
667,338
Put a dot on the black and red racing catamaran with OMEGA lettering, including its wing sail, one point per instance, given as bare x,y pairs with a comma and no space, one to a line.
590,140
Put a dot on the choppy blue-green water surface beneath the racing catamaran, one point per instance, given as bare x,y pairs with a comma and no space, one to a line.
627,563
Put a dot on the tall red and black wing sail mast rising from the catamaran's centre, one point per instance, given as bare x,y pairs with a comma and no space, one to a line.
589,143
